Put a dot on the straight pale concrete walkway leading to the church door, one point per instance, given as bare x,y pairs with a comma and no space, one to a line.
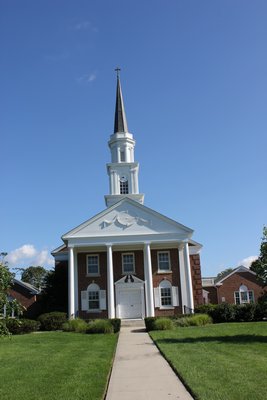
140,372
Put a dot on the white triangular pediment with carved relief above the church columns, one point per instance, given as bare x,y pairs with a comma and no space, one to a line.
128,218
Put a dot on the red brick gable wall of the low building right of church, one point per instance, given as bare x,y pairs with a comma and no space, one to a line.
233,283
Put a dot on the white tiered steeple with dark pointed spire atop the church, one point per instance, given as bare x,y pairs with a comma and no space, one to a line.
123,170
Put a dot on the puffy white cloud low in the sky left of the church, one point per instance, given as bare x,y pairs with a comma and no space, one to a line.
27,255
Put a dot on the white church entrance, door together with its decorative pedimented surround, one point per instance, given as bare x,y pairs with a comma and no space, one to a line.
130,299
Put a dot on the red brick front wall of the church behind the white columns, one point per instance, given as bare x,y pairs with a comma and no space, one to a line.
173,276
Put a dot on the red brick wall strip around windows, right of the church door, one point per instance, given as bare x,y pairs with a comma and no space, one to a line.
173,276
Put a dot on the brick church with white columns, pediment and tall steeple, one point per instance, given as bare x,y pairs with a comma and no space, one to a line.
129,261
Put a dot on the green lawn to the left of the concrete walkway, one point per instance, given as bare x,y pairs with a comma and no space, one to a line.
55,366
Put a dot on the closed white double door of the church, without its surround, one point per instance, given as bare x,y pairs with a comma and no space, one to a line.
130,303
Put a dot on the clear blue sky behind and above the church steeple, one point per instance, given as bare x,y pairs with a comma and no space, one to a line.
194,79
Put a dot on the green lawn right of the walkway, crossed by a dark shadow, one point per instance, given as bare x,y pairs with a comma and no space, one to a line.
219,362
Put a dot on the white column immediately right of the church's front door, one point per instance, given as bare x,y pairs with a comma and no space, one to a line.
150,310
